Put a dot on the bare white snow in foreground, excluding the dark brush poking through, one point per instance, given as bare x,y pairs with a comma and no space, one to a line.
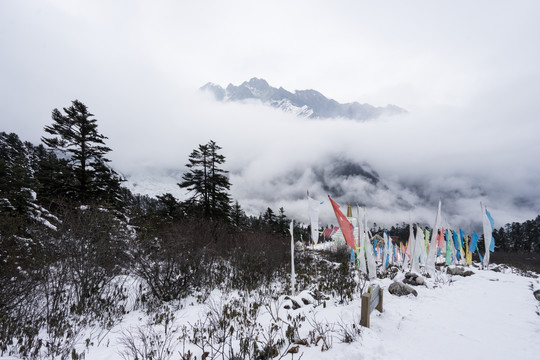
489,315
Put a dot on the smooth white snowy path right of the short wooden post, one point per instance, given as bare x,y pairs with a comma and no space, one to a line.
487,316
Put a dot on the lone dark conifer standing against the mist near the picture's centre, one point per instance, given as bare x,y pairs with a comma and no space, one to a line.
207,182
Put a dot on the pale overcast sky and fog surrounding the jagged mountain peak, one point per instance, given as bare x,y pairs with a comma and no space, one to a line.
467,72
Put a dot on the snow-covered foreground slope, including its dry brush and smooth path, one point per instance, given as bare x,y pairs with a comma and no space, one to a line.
491,314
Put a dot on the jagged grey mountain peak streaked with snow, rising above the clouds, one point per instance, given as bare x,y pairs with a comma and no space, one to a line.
305,103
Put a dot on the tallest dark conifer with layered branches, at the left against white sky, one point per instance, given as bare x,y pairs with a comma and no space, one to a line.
75,135
